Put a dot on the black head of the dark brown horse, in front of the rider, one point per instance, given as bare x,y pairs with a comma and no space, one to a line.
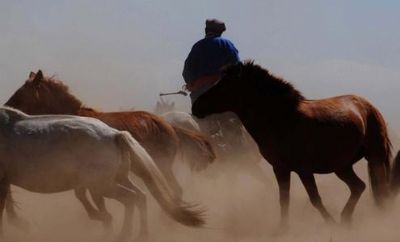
224,96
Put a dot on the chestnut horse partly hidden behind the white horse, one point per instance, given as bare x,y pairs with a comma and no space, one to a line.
45,95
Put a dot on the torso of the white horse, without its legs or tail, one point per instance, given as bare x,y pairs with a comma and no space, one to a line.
50,154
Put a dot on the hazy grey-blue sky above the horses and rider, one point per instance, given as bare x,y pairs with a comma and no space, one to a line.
120,54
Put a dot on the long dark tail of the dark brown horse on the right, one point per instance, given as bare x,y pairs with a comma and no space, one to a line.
378,153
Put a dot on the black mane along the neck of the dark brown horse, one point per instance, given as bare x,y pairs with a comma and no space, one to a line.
268,84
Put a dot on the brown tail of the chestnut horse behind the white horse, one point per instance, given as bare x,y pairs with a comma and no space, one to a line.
196,148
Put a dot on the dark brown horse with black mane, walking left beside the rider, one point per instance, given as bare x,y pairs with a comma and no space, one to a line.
305,136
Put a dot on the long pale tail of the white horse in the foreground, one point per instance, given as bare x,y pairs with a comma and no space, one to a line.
142,165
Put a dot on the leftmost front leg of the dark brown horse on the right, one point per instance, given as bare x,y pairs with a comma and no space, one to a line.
283,178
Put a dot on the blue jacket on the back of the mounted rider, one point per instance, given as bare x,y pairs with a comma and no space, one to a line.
207,56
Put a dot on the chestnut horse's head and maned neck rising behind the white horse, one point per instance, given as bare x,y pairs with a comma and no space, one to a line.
43,95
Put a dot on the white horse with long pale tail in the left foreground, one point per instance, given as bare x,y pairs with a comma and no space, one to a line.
56,153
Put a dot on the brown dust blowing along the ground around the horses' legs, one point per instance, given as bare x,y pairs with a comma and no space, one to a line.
241,203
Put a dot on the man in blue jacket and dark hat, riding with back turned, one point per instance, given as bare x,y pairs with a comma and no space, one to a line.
202,70
